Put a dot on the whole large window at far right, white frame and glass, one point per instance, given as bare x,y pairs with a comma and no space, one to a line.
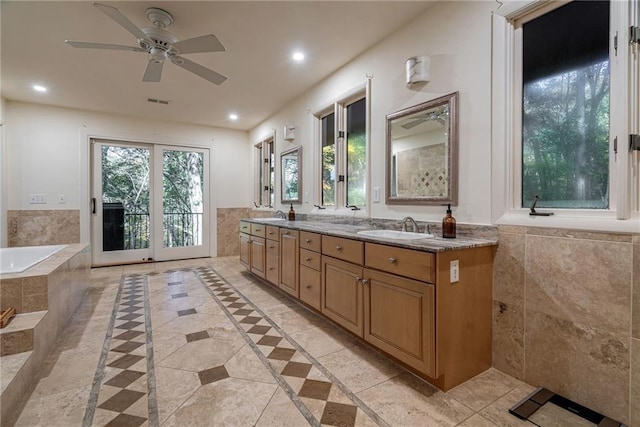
564,101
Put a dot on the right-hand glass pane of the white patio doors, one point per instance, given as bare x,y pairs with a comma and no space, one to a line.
183,203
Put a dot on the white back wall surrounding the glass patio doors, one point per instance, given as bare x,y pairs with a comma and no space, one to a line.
47,152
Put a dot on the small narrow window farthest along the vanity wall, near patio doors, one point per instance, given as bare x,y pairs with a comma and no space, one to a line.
264,173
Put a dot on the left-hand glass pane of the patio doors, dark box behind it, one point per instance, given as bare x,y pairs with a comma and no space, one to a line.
125,198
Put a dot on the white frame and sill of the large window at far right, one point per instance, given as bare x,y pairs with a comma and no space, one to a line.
507,124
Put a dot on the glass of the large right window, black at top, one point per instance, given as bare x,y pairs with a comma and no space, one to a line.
565,138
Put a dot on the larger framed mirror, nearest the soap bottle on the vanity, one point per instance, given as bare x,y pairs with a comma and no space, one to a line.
422,153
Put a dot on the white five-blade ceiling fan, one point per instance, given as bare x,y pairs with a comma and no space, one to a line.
160,44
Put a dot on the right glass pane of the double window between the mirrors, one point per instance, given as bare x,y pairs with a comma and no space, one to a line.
356,153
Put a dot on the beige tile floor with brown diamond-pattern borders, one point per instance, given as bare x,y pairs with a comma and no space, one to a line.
201,342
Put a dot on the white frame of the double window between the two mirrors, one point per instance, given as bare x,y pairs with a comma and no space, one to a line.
339,108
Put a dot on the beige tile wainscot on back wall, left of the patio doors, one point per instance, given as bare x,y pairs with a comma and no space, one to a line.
43,227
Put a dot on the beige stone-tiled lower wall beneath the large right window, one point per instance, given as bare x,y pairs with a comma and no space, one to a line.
566,315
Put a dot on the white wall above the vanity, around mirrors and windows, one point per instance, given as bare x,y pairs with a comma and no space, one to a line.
457,37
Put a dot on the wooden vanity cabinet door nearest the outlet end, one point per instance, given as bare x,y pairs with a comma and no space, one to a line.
399,318
